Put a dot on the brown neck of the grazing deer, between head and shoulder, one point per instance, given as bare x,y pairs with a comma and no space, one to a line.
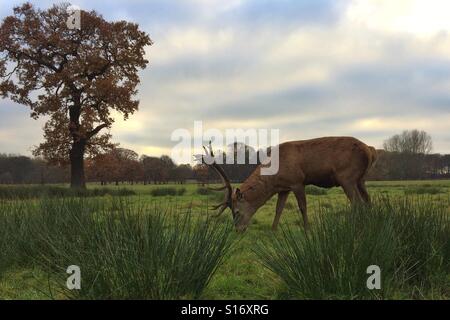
257,189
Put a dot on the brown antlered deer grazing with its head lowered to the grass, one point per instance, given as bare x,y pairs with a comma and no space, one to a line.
324,162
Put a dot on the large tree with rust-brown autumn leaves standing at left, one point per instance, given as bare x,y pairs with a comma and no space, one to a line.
74,76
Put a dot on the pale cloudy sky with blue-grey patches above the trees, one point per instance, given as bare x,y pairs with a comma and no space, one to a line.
310,68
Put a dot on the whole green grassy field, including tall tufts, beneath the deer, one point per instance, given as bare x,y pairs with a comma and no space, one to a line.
408,218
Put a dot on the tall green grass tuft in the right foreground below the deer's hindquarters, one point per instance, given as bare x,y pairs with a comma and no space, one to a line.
407,238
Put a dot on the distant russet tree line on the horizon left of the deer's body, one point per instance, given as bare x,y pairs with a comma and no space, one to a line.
118,166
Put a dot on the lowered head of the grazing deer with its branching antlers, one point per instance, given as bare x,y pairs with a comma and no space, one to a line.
234,199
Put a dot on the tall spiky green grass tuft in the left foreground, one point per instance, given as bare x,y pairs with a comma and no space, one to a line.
125,250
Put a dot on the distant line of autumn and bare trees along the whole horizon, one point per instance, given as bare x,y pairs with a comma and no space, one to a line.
406,156
